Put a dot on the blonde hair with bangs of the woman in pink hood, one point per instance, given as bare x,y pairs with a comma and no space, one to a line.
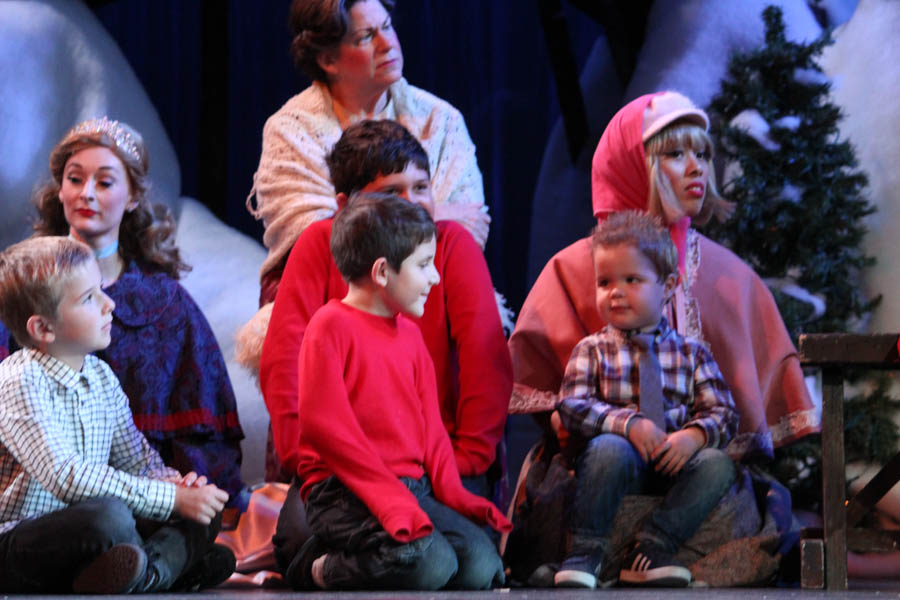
687,135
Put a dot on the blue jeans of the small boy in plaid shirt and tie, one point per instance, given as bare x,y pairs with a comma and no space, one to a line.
610,467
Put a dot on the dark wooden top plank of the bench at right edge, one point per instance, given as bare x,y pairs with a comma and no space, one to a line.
873,350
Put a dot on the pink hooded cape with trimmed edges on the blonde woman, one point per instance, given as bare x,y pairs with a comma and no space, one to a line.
728,303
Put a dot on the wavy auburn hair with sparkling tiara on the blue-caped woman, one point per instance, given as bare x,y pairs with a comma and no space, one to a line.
147,232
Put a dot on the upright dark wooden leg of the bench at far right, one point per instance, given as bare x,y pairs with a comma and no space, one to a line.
833,479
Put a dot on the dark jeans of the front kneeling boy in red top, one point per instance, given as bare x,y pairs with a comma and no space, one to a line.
457,555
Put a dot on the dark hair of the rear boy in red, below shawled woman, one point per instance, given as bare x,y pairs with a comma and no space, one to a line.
369,149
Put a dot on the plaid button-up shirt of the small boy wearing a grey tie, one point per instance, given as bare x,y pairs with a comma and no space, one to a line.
600,392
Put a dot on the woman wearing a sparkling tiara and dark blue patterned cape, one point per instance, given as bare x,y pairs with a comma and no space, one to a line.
163,350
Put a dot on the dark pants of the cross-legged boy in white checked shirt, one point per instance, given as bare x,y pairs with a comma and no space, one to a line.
44,554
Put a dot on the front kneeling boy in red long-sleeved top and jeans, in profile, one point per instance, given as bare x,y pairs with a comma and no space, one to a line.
382,491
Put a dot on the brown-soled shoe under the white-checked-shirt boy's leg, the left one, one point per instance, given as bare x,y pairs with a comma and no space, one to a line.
117,571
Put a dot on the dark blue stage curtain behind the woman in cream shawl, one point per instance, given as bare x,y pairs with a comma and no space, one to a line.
215,70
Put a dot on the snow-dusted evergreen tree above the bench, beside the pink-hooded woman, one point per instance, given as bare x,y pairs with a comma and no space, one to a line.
814,234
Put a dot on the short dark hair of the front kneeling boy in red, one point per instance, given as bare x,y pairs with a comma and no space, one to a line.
376,225
